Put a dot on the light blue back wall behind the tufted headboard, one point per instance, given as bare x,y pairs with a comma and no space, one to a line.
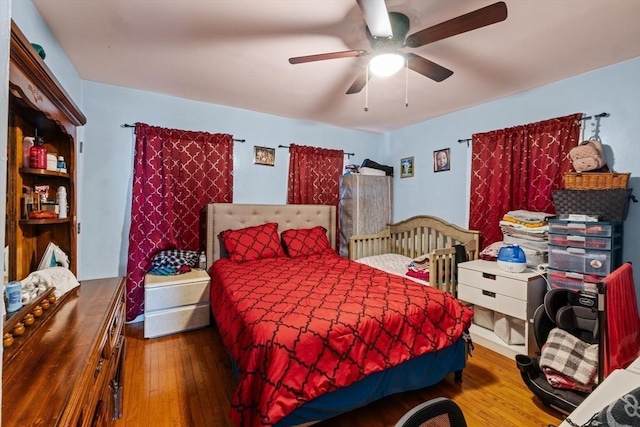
108,159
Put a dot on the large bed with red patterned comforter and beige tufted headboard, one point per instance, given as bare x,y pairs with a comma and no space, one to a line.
317,335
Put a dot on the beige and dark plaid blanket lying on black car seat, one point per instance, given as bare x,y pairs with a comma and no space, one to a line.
569,356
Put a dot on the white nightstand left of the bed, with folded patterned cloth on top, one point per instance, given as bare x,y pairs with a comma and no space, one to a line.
176,303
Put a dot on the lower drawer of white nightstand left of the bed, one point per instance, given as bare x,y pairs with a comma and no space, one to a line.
174,320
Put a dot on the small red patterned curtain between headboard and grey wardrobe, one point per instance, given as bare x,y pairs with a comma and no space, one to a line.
314,176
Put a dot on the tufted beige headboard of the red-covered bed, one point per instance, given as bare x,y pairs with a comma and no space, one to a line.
229,216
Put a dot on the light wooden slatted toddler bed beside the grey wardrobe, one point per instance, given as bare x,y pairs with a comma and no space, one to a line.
424,236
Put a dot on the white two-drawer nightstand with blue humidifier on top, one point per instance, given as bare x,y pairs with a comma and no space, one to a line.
483,284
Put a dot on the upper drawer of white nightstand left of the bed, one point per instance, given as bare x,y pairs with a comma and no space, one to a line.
176,295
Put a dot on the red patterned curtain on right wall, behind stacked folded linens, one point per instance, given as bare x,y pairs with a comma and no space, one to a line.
518,168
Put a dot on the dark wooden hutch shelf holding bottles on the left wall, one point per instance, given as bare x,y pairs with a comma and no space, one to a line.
38,105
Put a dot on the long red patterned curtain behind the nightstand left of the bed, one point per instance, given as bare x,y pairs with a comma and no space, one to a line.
176,173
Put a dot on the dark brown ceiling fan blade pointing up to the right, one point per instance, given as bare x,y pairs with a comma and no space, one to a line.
488,15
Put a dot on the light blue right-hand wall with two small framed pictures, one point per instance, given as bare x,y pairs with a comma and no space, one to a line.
614,89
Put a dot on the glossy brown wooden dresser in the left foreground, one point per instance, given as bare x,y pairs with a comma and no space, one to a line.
69,371
